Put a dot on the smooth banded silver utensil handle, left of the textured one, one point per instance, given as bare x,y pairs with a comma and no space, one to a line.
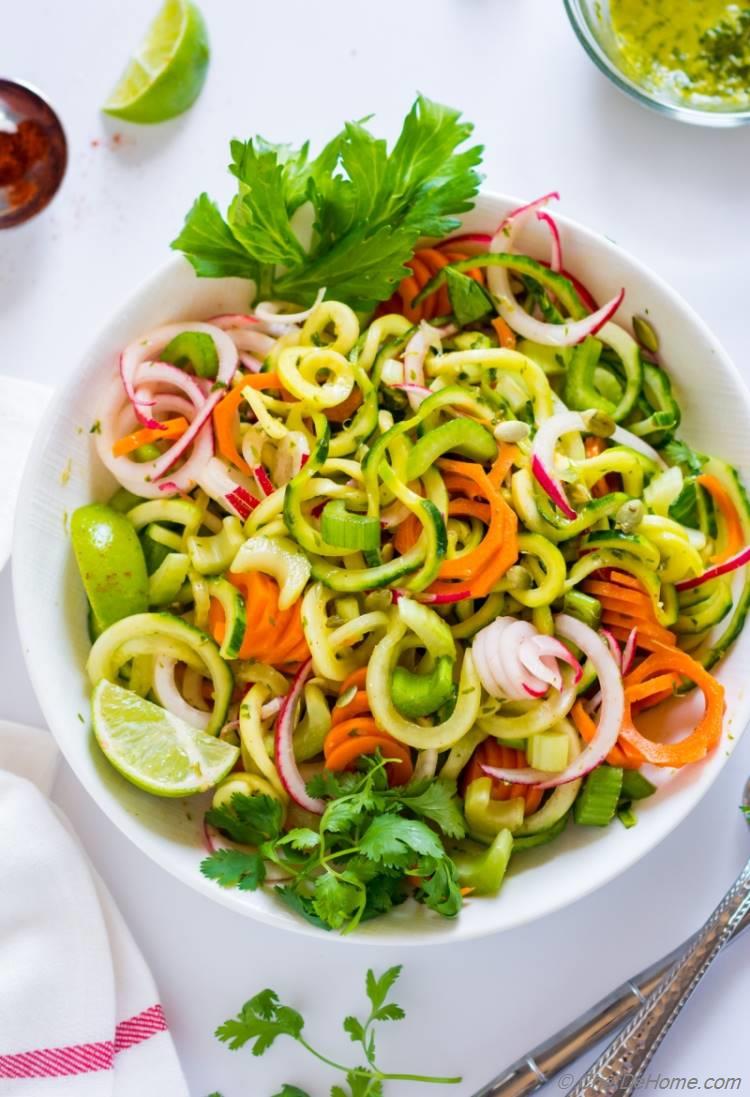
552,1057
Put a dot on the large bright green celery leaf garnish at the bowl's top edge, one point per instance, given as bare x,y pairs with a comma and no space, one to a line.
368,207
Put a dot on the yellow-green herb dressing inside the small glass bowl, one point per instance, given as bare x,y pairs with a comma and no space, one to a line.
694,50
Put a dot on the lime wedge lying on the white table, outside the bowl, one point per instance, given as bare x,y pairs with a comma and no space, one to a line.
168,71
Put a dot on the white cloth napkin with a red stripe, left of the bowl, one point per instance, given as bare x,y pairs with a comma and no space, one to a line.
79,1012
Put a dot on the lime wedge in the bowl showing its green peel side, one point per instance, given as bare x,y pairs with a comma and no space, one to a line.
111,562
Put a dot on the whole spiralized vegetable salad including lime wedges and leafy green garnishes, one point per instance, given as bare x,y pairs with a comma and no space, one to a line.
397,571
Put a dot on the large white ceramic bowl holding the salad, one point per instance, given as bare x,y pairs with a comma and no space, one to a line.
65,473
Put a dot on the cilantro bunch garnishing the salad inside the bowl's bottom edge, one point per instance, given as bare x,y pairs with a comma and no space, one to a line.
371,839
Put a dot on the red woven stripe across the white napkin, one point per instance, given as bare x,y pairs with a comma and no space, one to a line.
85,1058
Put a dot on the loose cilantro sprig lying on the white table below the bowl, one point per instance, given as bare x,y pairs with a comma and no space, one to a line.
265,1019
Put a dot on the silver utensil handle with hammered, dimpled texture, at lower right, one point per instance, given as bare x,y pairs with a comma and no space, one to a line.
620,1069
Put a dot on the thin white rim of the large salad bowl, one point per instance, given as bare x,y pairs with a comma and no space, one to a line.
370,936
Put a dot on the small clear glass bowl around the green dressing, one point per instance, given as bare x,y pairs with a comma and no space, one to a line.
592,22
